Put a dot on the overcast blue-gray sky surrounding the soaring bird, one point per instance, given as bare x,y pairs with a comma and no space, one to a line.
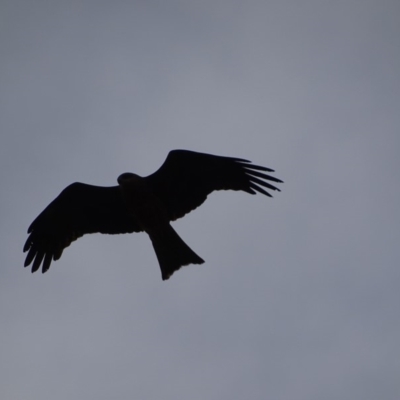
299,296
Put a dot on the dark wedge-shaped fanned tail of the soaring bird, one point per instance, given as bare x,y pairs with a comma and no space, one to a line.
172,252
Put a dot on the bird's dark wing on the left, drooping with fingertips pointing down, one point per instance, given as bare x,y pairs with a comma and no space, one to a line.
79,209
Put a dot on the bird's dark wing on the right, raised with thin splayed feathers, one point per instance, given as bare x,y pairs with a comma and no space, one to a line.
186,178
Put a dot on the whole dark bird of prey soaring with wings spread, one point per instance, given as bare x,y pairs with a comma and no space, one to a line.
139,204
